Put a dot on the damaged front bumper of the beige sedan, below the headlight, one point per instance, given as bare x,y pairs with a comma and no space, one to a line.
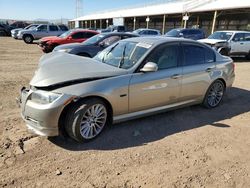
41,119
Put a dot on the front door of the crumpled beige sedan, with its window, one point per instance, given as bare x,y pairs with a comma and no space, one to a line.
160,88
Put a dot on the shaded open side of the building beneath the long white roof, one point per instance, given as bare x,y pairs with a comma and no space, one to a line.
237,19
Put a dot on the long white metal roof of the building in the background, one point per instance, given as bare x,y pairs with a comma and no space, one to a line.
172,7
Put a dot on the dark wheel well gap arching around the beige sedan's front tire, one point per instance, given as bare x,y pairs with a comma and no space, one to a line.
65,110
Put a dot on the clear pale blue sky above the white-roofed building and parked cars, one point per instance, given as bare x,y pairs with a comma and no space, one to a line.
56,9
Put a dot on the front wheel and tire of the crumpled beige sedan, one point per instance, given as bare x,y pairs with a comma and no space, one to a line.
86,119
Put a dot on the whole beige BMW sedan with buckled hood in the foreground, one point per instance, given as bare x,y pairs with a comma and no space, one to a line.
132,78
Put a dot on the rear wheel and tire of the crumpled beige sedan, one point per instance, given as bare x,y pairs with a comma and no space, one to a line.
214,94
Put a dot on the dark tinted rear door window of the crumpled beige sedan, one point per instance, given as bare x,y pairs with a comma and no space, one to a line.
193,54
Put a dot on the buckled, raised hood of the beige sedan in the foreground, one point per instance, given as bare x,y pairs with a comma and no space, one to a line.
60,68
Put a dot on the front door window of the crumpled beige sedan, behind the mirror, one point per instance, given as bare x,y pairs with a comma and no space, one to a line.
165,56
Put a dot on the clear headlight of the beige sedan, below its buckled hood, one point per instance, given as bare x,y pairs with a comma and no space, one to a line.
44,97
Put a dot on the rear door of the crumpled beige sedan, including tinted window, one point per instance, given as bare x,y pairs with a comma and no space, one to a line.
198,66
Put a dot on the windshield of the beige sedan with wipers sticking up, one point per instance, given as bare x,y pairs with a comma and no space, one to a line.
123,54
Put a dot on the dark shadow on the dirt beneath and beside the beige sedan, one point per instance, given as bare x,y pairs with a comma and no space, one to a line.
153,128
